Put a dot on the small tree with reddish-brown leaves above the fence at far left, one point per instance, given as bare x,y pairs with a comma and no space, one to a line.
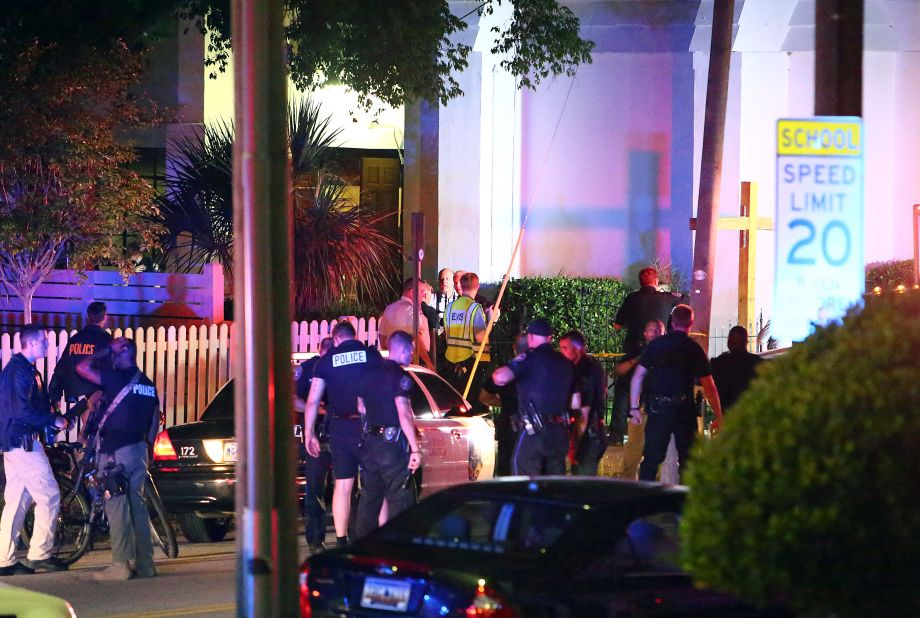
63,176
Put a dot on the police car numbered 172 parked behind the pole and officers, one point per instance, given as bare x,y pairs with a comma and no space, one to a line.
194,464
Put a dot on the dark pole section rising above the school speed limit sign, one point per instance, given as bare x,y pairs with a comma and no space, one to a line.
838,57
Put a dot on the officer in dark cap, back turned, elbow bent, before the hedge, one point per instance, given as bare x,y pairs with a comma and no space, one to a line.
544,380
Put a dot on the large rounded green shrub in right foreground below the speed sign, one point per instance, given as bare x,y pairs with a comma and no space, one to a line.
809,496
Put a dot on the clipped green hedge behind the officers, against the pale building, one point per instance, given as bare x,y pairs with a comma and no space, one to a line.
588,304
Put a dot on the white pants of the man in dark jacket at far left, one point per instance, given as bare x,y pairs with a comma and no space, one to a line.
28,478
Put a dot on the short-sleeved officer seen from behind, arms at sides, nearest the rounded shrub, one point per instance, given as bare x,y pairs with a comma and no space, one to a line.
667,371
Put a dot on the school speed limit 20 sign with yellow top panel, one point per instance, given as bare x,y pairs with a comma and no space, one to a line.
819,223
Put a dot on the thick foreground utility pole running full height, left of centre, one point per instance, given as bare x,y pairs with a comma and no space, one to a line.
262,222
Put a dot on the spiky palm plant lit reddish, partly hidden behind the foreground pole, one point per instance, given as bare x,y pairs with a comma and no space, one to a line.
340,255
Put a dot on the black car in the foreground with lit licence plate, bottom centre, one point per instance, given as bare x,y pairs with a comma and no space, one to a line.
519,547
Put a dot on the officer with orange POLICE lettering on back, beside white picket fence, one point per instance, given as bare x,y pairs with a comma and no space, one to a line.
84,343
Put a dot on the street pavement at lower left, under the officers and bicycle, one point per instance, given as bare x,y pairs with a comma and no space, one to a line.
200,582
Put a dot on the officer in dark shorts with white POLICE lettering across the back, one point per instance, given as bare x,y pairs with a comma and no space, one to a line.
339,373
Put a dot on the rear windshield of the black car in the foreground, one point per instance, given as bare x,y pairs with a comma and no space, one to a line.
493,526
